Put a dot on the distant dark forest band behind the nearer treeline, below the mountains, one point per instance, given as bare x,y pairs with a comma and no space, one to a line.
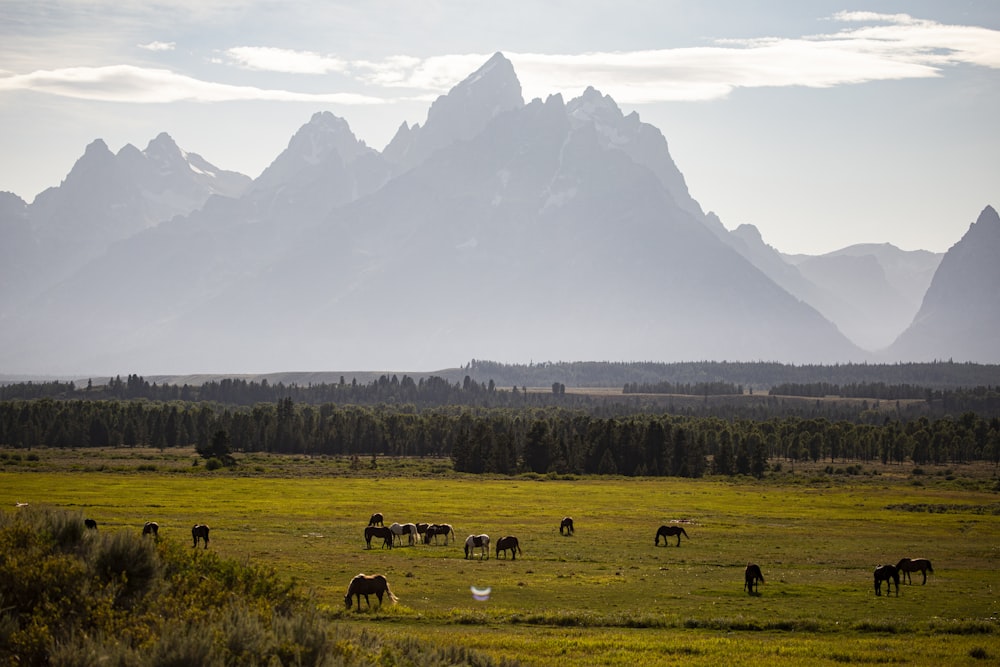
433,391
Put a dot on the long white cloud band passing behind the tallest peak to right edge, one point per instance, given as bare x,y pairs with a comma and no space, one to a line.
897,46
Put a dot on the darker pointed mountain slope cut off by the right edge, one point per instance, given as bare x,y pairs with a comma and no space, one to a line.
960,315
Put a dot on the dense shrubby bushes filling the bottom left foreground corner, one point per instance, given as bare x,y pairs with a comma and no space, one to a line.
72,597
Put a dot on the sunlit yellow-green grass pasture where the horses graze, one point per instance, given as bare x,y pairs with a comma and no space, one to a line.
605,595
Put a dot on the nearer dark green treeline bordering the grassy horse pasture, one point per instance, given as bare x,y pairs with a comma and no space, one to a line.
502,440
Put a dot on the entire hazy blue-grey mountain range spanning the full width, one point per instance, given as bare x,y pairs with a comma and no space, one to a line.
498,229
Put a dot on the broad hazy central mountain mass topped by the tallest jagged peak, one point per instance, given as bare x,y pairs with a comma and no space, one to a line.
509,231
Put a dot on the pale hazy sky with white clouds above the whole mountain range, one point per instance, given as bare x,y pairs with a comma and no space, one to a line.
822,123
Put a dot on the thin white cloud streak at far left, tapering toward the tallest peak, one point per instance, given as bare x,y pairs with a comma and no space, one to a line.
126,83
